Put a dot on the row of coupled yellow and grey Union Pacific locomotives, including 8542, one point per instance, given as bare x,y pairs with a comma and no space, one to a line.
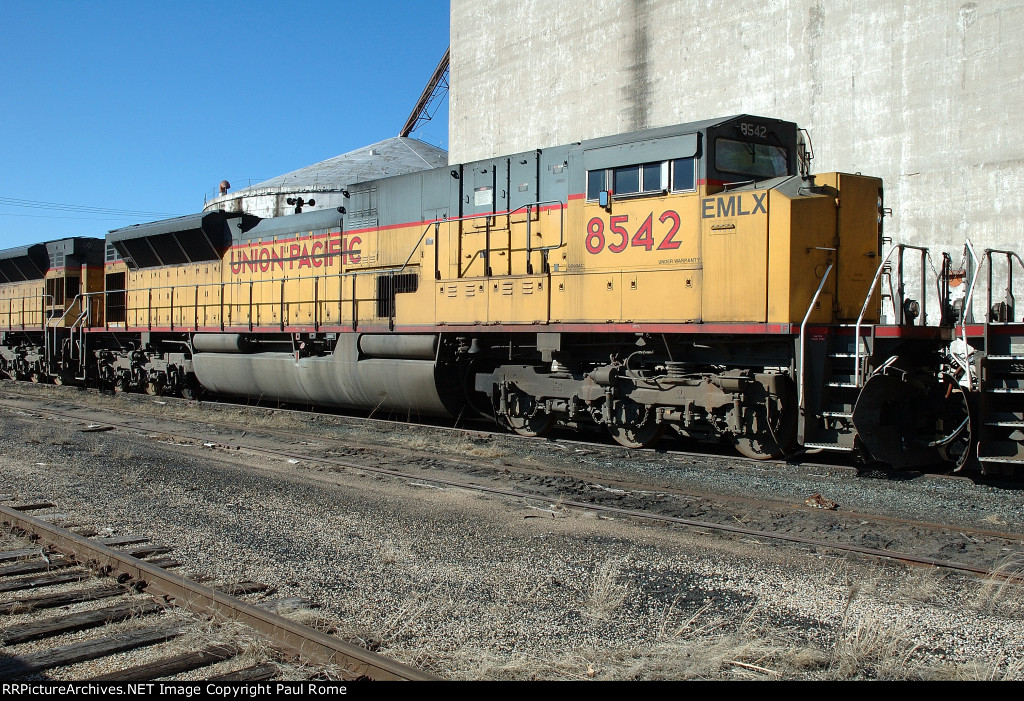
694,280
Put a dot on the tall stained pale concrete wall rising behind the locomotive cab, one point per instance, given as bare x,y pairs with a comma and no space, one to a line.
925,94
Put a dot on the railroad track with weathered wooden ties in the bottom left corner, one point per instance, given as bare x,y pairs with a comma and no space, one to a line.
126,580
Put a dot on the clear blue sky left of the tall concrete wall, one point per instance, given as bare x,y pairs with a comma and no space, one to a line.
142,109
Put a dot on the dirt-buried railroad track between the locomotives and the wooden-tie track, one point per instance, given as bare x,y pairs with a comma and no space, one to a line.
315,456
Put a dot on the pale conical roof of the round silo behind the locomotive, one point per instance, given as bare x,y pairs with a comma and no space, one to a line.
391,157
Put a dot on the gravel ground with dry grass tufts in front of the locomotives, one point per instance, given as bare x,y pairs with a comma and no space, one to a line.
470,586
